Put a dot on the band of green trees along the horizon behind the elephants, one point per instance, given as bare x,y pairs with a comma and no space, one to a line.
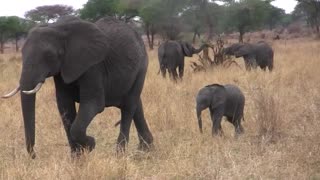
170,18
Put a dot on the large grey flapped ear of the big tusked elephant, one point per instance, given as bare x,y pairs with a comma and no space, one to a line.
85,46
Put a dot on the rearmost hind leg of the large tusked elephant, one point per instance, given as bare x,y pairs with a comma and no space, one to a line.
144,134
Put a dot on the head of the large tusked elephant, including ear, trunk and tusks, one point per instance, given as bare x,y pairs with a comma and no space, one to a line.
68,47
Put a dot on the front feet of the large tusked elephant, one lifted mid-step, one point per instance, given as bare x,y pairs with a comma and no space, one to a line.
79,148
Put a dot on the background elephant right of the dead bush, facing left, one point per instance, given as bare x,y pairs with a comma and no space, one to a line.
258,54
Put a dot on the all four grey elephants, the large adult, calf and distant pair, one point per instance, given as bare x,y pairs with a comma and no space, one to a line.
104,64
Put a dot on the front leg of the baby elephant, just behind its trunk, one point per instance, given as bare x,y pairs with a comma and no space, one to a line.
216,117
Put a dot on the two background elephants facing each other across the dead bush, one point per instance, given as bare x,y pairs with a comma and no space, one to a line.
171,55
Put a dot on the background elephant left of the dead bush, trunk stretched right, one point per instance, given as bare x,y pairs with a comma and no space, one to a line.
171,56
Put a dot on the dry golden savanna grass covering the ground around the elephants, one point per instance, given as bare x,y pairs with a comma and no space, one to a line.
281,140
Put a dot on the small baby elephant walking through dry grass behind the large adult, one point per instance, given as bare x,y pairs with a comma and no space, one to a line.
227,100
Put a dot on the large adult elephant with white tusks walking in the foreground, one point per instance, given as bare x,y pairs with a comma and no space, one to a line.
98,65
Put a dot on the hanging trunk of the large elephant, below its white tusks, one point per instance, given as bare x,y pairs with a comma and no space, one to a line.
28,112
